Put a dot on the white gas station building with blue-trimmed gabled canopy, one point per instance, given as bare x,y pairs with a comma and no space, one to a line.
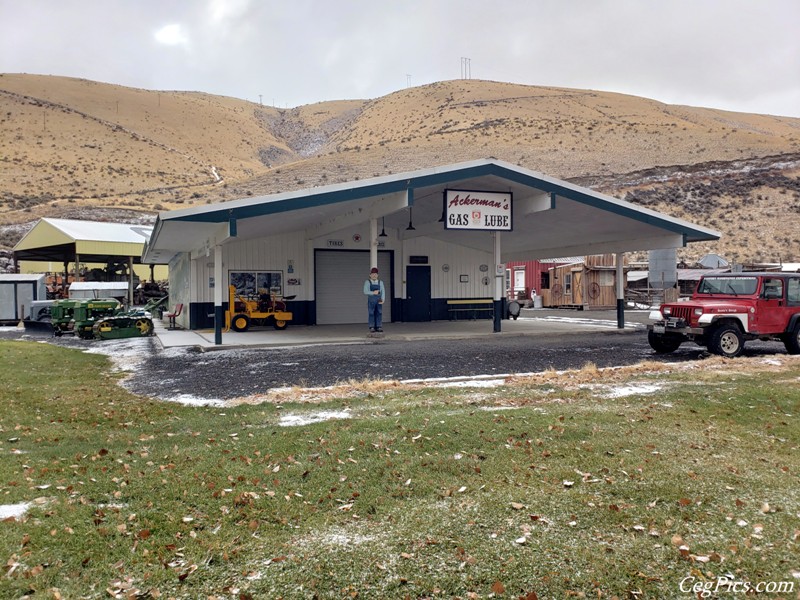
438,235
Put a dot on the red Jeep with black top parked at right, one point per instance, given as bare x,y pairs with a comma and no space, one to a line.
726,310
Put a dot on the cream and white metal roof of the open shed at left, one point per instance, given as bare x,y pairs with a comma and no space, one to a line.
59,240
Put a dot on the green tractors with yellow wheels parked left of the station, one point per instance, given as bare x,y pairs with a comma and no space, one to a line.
100,318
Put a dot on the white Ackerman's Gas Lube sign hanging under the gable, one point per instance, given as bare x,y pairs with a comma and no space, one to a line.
479,211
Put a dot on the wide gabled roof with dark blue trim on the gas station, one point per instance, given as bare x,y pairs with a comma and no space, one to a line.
551,217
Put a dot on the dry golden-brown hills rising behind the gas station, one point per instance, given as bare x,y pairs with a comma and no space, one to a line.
76,148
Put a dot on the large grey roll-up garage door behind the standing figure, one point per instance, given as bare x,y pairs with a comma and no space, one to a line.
340,279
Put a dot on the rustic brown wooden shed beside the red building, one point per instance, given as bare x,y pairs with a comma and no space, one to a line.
586,285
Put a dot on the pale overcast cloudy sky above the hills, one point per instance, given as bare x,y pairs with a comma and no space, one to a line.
741,55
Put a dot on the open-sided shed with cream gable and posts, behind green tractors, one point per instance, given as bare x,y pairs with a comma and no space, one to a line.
65,242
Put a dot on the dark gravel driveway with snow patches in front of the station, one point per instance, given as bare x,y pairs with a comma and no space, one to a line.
187,374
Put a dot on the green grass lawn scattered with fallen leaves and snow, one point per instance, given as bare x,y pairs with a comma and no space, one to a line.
629,483
